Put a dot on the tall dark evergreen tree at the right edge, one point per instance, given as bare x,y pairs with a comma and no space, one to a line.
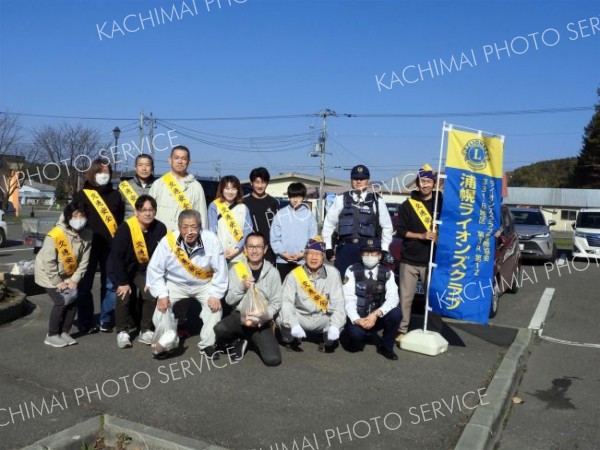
587,170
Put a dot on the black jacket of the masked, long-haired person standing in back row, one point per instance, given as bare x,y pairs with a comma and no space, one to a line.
115,204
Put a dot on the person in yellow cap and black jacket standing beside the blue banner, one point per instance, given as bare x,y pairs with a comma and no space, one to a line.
415,227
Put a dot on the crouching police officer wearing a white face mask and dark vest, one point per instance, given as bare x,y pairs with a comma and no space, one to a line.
371,299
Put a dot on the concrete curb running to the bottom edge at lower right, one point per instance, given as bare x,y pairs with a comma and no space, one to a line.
481,432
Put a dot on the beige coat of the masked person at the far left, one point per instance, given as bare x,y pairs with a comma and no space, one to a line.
49,269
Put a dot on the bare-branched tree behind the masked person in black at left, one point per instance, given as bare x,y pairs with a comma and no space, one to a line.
69,150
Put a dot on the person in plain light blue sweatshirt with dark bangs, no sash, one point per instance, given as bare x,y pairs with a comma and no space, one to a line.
291,229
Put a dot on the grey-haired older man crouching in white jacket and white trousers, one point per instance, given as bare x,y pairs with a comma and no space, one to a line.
191,264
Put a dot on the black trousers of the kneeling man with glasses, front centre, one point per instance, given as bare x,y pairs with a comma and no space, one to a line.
262,338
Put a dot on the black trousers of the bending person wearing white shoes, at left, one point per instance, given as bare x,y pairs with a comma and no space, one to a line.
125,309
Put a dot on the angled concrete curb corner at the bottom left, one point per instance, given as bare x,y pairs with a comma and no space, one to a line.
150,438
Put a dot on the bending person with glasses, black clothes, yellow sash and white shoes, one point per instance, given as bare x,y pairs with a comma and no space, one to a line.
134,244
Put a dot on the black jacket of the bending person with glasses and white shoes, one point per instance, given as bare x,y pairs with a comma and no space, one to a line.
122,264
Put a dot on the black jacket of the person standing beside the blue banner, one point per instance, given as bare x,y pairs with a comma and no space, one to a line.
415,251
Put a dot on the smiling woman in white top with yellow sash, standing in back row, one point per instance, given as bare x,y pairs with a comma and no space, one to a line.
229,218
